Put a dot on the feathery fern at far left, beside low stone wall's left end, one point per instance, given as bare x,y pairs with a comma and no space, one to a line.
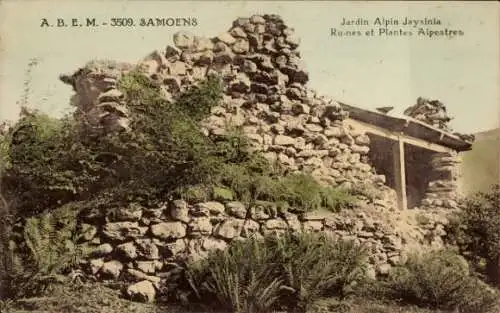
46,250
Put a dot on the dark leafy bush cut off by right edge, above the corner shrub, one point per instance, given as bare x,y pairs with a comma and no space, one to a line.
476,231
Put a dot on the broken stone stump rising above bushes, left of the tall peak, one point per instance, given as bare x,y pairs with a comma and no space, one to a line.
100,104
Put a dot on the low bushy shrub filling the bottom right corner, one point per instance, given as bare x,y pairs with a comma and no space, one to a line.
439,280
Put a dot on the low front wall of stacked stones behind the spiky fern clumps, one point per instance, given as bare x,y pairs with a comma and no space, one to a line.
146,246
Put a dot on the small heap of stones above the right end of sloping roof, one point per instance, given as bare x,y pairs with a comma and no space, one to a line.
432,112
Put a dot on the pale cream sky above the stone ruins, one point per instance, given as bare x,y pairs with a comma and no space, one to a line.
462,72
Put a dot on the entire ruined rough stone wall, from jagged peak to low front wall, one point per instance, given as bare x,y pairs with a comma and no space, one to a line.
266,93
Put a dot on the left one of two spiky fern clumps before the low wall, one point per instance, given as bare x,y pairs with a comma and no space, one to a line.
241,279
